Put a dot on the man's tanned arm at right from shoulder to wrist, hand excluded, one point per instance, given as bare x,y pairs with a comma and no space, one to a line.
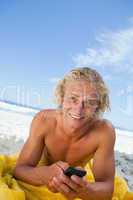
103,168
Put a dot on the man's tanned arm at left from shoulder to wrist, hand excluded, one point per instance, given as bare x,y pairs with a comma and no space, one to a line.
26,169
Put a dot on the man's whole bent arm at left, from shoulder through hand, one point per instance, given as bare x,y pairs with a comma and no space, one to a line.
26,168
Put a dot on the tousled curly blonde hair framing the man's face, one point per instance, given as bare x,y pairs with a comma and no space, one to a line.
94,78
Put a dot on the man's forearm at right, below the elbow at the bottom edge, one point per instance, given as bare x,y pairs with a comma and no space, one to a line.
98,191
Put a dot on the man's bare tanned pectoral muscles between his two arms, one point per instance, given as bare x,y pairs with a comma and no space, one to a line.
74,153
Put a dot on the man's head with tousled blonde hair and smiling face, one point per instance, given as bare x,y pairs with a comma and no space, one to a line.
83,92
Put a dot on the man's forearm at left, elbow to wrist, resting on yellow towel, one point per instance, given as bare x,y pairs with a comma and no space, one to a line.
32,175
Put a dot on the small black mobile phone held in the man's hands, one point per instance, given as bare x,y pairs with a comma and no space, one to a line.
73,171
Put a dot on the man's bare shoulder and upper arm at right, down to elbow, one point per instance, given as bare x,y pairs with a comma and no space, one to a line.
104,161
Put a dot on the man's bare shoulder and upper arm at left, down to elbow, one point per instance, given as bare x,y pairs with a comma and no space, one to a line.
34,145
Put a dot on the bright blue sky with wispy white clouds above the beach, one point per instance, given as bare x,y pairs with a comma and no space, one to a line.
42,40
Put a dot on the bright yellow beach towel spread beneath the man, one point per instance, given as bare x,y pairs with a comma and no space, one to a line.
12,189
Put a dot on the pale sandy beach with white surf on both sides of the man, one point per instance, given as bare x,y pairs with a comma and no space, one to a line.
14,129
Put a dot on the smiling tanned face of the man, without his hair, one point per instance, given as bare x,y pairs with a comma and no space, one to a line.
80,102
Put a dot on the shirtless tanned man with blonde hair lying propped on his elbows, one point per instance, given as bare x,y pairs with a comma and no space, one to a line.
70,136
